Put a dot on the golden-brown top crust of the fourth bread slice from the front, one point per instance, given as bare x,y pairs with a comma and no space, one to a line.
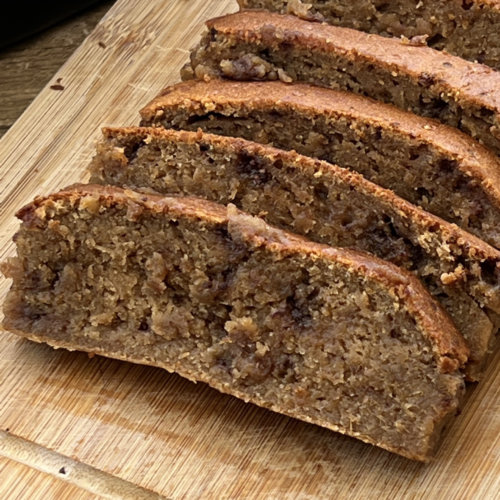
473,82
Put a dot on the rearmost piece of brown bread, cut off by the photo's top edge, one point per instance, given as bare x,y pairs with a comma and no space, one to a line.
468,29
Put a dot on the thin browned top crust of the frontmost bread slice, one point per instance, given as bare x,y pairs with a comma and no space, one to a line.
449,346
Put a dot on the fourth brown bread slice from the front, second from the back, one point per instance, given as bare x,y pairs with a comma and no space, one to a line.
259,45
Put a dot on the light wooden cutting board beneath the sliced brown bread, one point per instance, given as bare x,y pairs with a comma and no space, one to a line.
141,424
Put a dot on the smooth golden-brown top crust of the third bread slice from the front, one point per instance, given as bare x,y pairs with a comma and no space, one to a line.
216,95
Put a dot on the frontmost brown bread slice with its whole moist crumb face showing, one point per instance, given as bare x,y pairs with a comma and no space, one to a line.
331,336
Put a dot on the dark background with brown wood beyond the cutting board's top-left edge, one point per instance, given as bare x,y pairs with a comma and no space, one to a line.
35,41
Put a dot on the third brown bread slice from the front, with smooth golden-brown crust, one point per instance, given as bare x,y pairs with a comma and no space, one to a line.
432,165
